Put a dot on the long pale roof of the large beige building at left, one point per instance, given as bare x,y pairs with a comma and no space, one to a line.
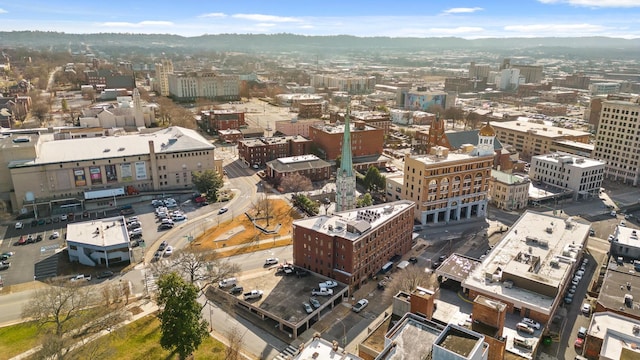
170,140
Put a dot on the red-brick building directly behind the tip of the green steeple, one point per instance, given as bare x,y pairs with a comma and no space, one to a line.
365,140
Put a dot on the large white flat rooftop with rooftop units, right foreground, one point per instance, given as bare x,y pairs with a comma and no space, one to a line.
531,262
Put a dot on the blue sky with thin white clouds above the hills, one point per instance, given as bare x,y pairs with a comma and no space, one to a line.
418,18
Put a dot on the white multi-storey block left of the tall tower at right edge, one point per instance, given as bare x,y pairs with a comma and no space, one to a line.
583,176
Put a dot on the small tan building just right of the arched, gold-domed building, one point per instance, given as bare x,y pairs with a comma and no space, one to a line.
508,191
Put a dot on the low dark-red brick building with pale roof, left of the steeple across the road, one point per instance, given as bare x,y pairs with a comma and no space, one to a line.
259,151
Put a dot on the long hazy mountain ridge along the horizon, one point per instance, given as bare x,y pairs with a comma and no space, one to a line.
579,46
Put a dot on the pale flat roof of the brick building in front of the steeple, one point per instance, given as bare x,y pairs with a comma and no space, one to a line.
353,224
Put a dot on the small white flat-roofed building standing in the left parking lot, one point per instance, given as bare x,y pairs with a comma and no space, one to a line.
102,242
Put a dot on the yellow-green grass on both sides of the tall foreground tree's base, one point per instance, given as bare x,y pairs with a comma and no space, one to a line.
141,340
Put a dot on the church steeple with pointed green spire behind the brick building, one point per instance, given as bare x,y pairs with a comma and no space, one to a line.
345,179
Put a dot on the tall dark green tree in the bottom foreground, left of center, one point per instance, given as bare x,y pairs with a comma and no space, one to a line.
182,326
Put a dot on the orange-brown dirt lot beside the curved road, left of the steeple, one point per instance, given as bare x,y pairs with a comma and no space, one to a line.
241,231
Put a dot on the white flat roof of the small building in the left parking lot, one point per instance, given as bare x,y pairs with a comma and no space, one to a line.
100,232
